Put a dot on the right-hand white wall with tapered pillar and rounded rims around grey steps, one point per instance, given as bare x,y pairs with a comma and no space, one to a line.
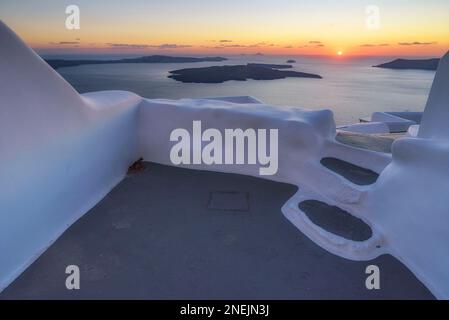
407,208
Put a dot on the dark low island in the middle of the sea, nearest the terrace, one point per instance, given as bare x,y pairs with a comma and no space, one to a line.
219,74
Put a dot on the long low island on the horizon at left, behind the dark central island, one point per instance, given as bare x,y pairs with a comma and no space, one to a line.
55,64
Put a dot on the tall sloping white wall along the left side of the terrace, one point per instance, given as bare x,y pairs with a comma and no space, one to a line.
60,153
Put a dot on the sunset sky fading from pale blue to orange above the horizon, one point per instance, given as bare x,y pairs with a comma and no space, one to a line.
288,27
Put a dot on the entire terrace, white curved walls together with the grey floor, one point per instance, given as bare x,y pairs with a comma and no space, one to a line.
173,232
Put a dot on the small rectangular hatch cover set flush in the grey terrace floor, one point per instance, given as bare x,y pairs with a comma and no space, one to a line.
229,200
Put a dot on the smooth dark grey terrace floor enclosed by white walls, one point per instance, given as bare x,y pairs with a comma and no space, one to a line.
155,236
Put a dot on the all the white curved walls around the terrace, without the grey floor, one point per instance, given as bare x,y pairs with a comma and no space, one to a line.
62,152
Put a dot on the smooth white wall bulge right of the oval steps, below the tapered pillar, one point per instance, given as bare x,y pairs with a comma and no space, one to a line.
410,206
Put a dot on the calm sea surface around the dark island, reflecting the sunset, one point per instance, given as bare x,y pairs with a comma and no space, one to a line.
351,88
